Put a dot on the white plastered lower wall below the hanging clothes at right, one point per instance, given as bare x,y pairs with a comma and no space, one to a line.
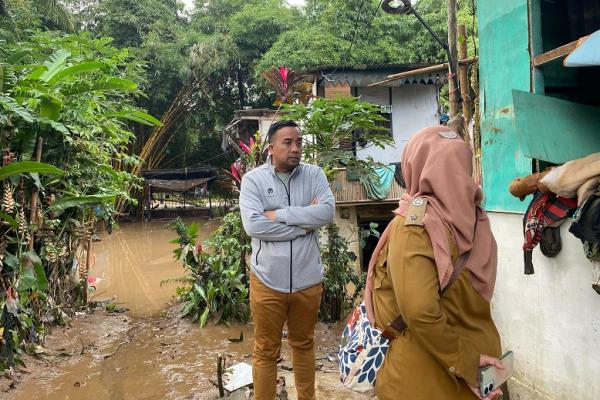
550,320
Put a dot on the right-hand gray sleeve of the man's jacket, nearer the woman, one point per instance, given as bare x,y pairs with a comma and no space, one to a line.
314,216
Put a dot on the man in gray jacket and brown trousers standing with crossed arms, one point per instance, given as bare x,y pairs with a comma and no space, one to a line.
283,203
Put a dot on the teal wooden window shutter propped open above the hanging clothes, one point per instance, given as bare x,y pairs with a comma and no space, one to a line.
555,130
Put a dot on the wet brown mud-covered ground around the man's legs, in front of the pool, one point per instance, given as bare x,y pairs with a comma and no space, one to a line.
113,356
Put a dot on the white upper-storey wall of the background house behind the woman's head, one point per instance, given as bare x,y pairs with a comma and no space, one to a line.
413,108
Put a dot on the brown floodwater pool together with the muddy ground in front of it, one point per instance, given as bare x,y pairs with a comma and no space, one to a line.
150,353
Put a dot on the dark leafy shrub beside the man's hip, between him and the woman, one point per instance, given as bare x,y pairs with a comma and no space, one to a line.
338,275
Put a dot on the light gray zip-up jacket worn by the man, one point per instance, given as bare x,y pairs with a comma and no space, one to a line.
285,252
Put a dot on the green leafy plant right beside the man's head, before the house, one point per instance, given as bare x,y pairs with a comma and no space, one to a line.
332,124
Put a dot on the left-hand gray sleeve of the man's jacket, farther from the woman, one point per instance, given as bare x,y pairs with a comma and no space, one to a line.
256,224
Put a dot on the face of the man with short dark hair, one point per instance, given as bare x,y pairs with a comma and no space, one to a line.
286,148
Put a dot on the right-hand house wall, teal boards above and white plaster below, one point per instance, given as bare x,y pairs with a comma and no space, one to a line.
551,320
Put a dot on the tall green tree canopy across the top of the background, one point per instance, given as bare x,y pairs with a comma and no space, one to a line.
253,35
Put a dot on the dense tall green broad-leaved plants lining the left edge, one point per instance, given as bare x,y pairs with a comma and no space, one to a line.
70,98
